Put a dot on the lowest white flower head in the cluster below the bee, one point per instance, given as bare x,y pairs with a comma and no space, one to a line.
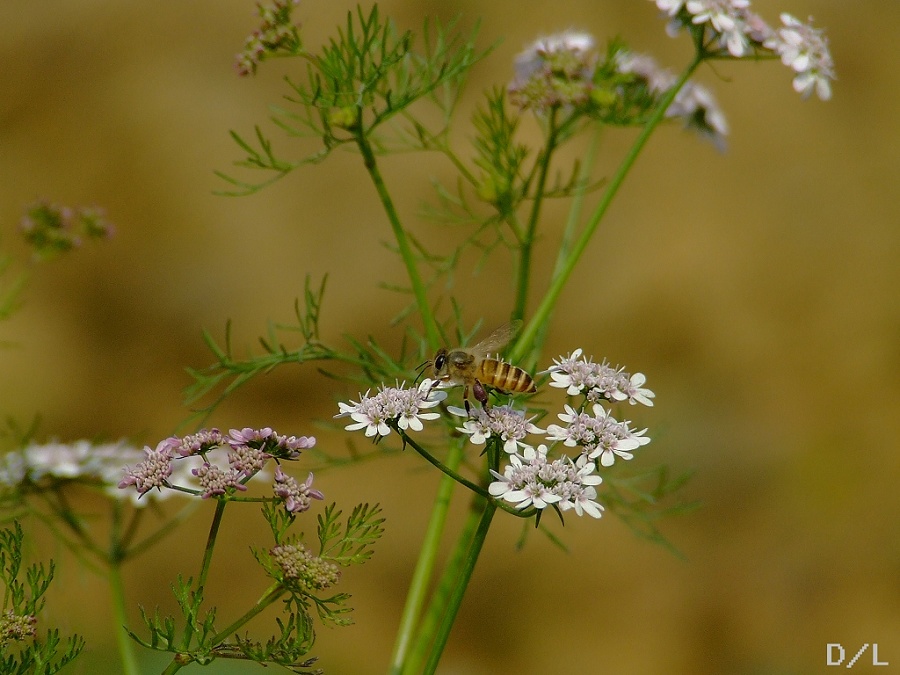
533,480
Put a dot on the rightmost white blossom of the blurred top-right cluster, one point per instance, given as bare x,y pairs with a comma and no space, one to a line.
805,50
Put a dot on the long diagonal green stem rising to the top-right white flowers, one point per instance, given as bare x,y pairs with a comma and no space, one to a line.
557,284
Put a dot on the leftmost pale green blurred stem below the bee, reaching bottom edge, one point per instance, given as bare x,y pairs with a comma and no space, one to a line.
415,598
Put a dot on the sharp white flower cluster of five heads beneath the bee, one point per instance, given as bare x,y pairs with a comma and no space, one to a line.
530,478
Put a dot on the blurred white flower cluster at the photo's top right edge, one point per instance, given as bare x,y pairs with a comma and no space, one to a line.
741,32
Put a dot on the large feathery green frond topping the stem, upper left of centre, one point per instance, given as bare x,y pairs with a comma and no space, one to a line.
366,75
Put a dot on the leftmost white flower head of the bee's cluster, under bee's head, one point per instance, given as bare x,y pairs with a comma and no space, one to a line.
389,404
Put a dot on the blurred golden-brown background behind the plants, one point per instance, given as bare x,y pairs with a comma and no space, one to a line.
756,289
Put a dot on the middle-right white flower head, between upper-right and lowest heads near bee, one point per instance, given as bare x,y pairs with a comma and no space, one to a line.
599,435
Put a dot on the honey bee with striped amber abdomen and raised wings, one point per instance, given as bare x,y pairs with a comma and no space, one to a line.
474,367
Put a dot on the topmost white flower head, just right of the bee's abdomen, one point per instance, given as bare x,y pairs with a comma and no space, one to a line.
598,380
